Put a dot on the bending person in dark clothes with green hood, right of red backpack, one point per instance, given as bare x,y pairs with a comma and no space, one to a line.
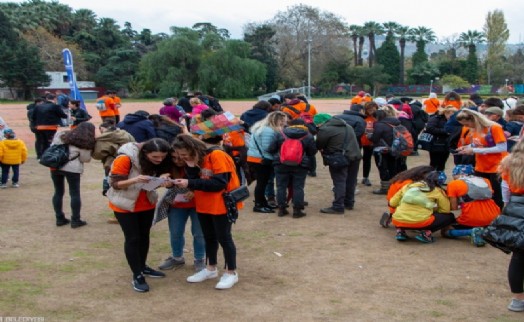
341,153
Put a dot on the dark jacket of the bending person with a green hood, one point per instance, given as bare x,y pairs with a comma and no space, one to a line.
331,136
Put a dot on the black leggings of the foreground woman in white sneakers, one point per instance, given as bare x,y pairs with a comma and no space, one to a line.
217,230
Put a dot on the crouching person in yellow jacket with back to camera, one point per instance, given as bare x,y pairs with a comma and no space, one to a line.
421,205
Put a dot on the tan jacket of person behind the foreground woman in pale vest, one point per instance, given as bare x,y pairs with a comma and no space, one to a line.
107,145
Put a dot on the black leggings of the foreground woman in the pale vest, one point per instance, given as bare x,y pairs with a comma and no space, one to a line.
136,227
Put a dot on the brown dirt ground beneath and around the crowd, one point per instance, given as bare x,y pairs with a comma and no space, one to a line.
318,268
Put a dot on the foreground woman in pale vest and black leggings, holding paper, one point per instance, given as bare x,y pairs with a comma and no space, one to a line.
134,207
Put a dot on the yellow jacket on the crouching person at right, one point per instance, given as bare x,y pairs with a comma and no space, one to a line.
410,213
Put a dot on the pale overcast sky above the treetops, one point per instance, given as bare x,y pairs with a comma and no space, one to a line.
444,17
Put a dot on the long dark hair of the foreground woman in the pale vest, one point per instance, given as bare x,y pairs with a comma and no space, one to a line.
154,145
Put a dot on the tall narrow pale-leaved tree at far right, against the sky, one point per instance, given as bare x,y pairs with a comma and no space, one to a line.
497,34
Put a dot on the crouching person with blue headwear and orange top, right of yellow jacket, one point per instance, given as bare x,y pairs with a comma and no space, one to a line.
472,195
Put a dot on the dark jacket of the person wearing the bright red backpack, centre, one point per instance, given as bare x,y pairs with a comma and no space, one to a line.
295,132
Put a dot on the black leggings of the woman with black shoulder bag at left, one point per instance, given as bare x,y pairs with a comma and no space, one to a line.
73,180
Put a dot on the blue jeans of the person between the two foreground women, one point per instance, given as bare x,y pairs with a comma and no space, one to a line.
177,219
